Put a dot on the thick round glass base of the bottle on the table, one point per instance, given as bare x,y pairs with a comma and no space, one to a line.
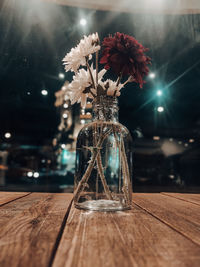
102,205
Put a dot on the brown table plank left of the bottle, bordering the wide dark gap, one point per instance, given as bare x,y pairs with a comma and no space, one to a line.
30,229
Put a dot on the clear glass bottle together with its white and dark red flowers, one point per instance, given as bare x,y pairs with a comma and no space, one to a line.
103,155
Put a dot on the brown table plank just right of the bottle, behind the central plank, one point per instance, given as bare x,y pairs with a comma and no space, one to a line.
181,215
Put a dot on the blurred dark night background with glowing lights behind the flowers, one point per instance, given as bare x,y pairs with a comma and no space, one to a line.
39,127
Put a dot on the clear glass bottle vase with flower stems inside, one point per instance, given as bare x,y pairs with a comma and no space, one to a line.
103,161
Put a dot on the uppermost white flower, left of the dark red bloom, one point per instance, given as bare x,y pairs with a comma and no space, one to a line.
77,56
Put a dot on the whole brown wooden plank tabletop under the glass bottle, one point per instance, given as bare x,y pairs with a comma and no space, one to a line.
44,229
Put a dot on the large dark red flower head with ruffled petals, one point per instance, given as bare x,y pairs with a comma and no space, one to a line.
125,55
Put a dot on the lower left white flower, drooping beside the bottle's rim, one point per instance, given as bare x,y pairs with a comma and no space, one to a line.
82,86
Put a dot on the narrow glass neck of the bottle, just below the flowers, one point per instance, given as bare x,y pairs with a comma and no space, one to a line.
105,108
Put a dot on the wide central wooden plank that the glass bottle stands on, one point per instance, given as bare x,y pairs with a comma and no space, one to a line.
131,238
